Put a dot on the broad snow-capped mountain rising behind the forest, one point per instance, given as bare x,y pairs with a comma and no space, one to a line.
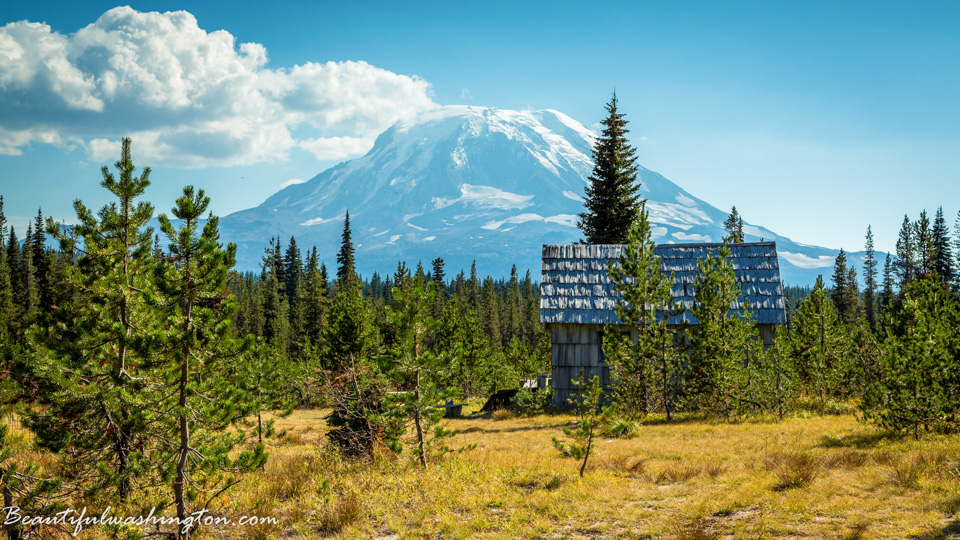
474,183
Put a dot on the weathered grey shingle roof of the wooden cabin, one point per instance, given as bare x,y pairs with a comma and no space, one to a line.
574,287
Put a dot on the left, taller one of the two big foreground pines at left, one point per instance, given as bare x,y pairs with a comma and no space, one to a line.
98,358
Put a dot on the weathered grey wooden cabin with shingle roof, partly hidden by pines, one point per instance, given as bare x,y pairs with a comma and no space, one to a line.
577,299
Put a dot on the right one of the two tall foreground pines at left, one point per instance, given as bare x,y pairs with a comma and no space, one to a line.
198,336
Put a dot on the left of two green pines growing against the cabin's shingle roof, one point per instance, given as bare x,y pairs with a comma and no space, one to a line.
644,369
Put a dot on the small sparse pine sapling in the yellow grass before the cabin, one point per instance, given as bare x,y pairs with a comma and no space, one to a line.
594,417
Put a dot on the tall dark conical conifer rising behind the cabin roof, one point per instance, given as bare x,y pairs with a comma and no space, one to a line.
613,192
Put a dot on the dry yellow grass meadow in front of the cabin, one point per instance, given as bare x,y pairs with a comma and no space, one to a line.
689,479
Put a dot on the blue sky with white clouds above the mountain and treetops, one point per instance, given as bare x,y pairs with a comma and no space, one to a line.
814,118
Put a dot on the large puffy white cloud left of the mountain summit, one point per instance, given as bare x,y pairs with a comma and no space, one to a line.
190,98
